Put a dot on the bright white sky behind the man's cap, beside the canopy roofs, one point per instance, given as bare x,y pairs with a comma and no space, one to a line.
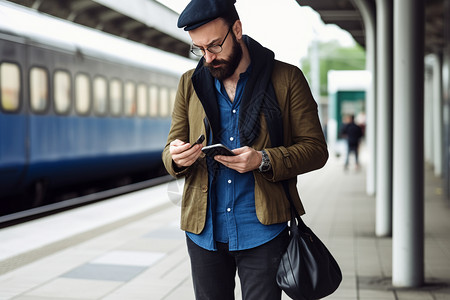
282,26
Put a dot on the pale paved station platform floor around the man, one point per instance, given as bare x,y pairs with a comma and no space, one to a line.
131,247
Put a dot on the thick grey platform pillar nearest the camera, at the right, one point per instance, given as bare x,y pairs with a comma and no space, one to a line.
408,156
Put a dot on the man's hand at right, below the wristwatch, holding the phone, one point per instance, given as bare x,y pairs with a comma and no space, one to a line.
246,159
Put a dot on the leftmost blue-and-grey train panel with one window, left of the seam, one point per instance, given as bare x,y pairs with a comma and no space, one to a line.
13,115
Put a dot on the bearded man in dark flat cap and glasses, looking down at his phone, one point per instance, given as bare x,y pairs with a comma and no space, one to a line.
234,208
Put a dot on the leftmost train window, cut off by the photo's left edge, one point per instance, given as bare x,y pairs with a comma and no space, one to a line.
10,86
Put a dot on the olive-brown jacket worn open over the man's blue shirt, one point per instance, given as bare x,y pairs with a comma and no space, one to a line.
305,149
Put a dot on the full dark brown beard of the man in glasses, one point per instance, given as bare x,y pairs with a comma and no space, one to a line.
227,66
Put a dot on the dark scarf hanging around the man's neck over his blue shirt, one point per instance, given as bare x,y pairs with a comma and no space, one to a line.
259,97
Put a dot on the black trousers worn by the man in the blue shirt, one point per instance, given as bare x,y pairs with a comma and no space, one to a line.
214,272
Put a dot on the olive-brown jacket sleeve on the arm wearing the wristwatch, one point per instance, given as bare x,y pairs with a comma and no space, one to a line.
305,148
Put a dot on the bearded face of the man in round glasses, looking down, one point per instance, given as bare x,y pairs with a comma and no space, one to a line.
221,65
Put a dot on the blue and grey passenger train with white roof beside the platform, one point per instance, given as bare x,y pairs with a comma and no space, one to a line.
77,105
